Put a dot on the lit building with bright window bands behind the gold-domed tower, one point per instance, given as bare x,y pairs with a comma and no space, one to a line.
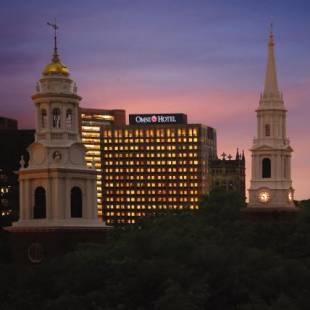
92,124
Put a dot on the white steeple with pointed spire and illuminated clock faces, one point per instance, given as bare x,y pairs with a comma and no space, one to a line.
271,183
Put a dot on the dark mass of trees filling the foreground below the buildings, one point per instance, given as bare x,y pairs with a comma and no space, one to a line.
213,258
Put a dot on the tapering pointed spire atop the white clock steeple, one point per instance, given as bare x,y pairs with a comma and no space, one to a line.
271,83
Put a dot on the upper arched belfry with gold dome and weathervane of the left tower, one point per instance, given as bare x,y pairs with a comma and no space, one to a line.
57,103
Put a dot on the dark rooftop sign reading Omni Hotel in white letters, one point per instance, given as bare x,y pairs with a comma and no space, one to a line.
143,119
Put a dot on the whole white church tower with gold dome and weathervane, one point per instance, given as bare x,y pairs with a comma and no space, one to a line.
57,189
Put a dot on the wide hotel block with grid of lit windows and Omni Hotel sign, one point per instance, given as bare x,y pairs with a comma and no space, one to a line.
157,162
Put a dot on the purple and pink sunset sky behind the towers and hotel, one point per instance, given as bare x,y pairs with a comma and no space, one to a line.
200,57
